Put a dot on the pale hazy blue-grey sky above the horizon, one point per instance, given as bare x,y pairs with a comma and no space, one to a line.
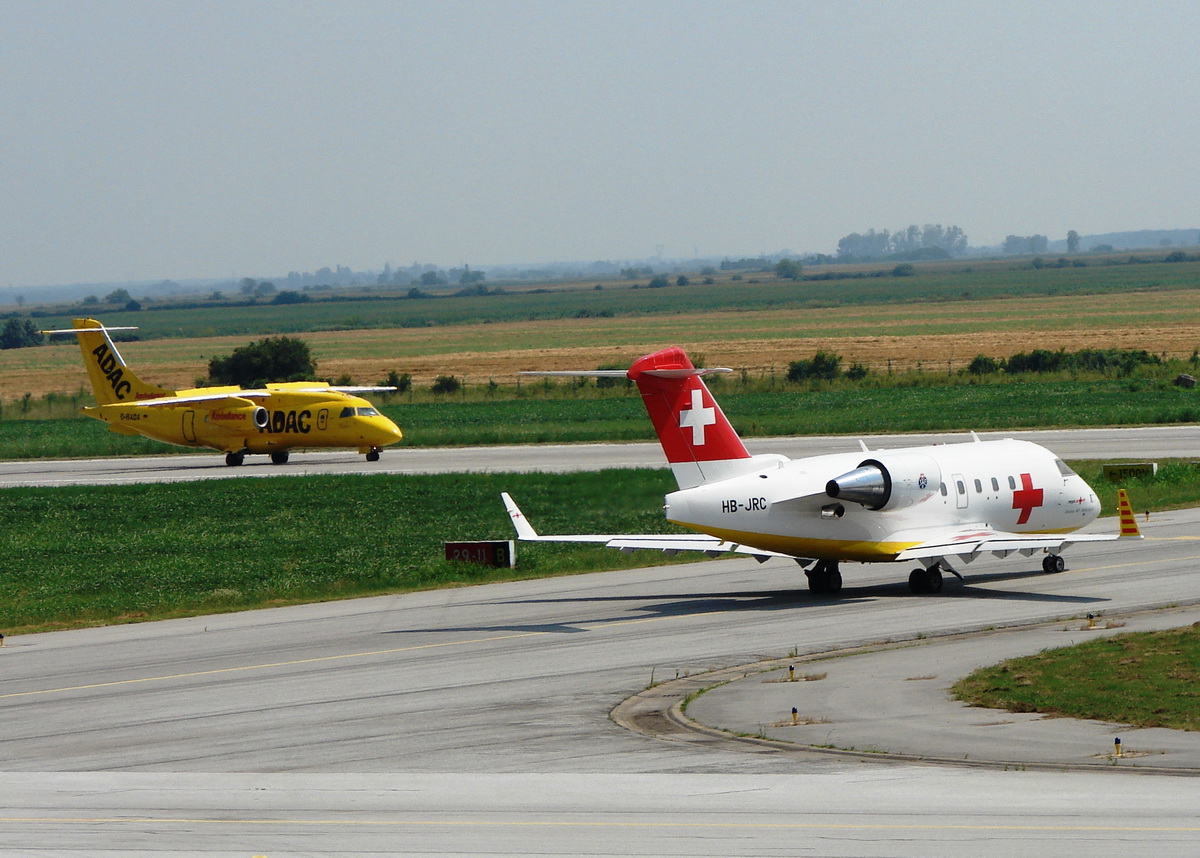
166,140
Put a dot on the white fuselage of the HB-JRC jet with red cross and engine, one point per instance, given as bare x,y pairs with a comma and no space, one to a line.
907,496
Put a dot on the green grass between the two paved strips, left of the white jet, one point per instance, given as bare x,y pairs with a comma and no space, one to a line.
99,555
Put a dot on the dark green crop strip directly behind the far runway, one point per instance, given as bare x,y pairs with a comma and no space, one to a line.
565,416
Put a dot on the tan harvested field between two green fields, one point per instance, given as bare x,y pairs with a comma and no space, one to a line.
934,337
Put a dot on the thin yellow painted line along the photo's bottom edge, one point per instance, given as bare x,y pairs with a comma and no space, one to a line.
584,824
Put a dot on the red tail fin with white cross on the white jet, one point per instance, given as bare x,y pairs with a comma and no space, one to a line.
689,423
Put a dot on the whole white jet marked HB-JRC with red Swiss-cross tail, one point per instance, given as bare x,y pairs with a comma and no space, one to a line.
941,506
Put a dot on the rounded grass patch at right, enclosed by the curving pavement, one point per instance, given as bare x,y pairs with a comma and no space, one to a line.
1149,680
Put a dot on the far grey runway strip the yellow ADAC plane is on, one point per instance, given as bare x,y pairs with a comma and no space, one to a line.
1135,445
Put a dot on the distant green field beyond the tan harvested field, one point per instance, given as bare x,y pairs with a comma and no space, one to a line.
955,281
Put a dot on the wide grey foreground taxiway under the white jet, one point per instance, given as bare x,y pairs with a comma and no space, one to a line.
477,722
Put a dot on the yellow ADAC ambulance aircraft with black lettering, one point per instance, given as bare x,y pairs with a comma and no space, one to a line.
273,421
